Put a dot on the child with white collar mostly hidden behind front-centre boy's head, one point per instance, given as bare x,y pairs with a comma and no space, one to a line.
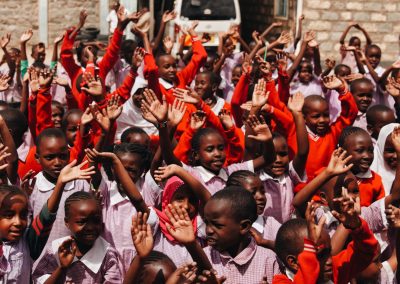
265,228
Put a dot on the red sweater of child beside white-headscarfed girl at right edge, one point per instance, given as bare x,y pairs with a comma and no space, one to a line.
371,189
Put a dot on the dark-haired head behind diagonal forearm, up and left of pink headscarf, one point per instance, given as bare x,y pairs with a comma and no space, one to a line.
135,158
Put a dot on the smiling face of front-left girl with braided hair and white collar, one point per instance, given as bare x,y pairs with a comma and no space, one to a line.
85,221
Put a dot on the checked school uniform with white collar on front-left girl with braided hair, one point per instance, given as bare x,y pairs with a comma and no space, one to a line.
98,265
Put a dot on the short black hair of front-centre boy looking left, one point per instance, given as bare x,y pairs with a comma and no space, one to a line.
241,202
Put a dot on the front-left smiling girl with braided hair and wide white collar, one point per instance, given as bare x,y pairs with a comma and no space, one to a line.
85,257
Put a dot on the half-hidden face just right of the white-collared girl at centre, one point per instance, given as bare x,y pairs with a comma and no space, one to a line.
281,162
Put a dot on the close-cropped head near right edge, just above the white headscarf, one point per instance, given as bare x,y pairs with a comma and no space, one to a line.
377,117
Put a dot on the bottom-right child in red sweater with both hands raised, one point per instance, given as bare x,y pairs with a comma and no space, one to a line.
340,268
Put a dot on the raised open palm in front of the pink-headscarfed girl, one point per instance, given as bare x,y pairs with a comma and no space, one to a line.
181,227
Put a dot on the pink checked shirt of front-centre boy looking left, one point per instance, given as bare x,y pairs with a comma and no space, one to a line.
249,266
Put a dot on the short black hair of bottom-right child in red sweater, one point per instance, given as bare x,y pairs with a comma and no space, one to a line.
289,239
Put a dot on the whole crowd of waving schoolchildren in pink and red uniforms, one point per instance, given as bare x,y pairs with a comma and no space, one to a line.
132,164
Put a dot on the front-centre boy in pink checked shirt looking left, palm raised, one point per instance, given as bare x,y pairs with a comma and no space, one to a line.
231,250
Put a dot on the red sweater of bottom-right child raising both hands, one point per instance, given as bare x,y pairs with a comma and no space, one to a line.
346,265
